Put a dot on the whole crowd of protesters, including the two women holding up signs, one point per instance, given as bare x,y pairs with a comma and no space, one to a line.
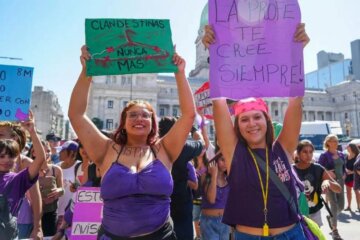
157,183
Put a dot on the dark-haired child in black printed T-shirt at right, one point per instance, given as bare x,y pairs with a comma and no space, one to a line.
315,178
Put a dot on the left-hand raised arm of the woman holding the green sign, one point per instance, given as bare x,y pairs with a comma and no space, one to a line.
93,140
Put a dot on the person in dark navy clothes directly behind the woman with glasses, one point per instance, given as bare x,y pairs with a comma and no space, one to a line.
181,197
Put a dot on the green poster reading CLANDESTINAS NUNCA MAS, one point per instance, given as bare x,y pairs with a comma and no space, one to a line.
125,46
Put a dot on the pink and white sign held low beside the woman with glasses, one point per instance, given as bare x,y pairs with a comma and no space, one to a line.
87,214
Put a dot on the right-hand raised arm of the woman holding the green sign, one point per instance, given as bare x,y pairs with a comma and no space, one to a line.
174,140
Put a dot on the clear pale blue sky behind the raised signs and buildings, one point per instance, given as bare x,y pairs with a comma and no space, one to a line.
48,34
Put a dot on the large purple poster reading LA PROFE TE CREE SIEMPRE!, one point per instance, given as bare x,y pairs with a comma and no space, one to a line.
255,54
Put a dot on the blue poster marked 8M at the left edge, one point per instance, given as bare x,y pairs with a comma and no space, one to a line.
15,92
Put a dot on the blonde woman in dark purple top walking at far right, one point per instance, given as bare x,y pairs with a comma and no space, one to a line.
334,162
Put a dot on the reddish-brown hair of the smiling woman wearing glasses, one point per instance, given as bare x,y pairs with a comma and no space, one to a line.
120,135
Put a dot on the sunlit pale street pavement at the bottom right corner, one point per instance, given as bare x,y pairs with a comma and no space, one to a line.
348,222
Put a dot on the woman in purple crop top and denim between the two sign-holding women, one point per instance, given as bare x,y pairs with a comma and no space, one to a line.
216,190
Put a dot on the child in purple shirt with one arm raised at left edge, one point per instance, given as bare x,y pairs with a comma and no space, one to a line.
14,185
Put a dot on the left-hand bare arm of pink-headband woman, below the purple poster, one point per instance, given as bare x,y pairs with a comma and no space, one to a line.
225,133
